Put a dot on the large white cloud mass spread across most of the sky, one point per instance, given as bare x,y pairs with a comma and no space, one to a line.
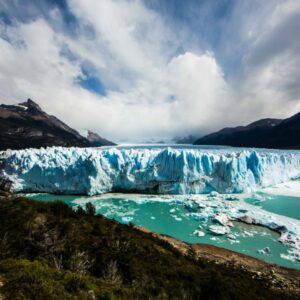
152,91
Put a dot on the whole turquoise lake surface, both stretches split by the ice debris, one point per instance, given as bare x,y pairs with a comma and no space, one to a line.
171,216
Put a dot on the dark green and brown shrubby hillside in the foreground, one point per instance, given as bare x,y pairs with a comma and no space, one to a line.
49,251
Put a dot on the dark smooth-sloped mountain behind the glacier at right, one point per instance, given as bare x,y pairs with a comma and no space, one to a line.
265,133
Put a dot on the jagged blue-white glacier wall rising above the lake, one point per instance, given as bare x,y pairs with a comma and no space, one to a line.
162,170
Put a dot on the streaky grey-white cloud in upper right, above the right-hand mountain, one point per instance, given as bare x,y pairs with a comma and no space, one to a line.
270,68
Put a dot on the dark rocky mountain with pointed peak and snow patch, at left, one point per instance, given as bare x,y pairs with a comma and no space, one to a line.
26,125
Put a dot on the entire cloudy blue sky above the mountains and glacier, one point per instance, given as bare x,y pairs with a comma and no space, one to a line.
137,71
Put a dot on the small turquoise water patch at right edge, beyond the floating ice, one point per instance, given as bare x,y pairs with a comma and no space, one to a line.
283,205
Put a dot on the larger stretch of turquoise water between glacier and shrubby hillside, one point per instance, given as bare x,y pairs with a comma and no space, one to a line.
173,218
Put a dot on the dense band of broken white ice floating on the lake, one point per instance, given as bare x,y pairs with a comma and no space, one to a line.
222,212
